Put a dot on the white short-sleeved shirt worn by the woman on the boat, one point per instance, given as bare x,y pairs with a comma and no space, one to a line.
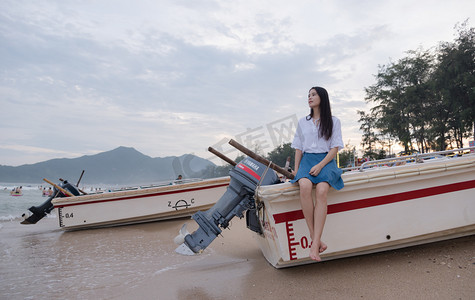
307,138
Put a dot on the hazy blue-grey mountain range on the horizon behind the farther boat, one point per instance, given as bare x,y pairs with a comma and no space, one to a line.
122,165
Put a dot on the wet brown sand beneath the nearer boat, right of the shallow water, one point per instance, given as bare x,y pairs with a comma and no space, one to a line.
237,269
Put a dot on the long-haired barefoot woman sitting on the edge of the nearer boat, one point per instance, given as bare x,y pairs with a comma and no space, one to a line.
316,142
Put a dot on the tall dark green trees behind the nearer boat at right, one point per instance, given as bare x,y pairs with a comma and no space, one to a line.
424,101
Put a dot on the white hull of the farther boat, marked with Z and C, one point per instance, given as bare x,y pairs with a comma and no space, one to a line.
137,206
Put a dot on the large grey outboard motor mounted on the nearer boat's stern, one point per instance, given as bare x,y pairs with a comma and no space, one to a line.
245,177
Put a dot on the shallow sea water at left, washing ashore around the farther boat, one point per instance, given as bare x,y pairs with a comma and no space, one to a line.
41,261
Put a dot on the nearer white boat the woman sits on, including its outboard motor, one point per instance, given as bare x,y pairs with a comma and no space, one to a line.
386,204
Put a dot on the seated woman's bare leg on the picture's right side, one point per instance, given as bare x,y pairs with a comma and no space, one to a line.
320,215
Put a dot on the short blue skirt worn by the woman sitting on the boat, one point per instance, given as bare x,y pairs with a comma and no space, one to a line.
329,173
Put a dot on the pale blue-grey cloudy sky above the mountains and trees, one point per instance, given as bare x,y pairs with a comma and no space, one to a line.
174,77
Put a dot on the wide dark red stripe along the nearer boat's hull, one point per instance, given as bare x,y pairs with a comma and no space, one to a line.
380,200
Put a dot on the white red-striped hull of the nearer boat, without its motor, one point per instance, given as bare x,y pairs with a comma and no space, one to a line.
377,210
